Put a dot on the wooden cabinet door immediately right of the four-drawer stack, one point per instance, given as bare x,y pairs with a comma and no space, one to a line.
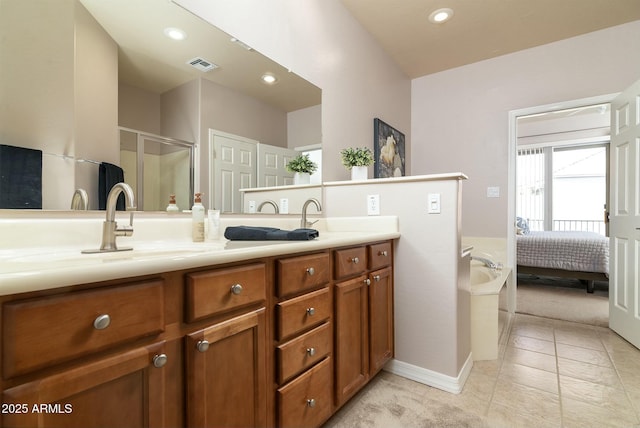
352,344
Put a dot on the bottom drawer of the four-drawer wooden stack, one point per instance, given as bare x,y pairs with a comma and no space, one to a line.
306,401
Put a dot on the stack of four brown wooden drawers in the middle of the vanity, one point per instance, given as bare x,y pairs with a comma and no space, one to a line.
304,346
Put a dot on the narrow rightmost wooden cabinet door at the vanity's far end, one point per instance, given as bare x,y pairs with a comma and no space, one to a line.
380,319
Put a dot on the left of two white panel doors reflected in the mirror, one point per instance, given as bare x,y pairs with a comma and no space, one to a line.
234,168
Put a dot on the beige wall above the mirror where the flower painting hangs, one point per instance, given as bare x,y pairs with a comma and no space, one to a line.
321,42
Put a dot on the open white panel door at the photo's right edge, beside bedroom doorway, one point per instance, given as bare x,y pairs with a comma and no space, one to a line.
624,229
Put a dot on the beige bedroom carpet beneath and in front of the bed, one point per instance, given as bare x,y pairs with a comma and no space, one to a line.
563,299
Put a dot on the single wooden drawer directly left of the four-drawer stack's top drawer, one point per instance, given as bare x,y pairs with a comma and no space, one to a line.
221,290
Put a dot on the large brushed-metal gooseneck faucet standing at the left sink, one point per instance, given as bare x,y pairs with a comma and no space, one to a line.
110,228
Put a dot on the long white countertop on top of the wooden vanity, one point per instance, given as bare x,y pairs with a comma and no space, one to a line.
32,268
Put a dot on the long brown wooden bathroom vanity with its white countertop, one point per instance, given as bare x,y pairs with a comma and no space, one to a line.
254,334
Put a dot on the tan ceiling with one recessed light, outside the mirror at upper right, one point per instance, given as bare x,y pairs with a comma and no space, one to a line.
479,29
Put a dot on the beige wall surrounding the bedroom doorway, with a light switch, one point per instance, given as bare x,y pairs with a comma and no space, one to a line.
460,116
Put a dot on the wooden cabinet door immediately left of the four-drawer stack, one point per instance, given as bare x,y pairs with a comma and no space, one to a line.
226,373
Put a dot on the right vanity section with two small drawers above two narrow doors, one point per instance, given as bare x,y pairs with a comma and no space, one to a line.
364,317
